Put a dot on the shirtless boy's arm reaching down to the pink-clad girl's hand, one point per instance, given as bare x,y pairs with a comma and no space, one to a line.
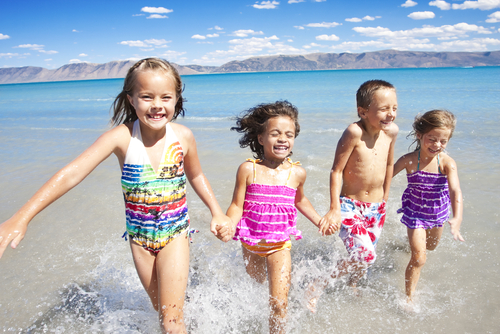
345,147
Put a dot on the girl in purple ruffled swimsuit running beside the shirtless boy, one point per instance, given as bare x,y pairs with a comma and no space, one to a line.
433,186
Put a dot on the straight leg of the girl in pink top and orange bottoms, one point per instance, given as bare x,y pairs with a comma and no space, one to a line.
279,266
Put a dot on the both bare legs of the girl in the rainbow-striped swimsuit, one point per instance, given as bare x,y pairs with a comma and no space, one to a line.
164,278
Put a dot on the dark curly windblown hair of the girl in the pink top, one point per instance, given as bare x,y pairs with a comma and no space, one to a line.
253,122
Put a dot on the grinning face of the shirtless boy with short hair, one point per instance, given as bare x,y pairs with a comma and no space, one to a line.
382,110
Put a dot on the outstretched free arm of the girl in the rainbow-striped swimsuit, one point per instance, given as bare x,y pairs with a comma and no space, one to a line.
113,141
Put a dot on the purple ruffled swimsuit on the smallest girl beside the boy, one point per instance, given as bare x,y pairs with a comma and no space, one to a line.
426,200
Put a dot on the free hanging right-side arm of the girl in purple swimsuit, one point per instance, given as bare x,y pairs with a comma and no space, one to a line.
450,168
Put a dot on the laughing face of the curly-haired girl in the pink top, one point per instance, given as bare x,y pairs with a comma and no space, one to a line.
278,138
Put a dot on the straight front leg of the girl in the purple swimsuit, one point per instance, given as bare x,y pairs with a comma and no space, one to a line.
417,239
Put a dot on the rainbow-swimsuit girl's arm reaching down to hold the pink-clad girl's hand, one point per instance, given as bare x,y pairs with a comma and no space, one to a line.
220,223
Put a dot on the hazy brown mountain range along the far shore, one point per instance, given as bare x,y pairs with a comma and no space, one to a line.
310,62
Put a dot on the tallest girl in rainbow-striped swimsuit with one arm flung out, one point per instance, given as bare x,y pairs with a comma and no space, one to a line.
157,158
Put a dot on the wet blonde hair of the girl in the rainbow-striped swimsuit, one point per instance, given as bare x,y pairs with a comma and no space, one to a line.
123,111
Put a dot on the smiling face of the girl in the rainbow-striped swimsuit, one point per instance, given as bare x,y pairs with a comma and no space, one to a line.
154,98
